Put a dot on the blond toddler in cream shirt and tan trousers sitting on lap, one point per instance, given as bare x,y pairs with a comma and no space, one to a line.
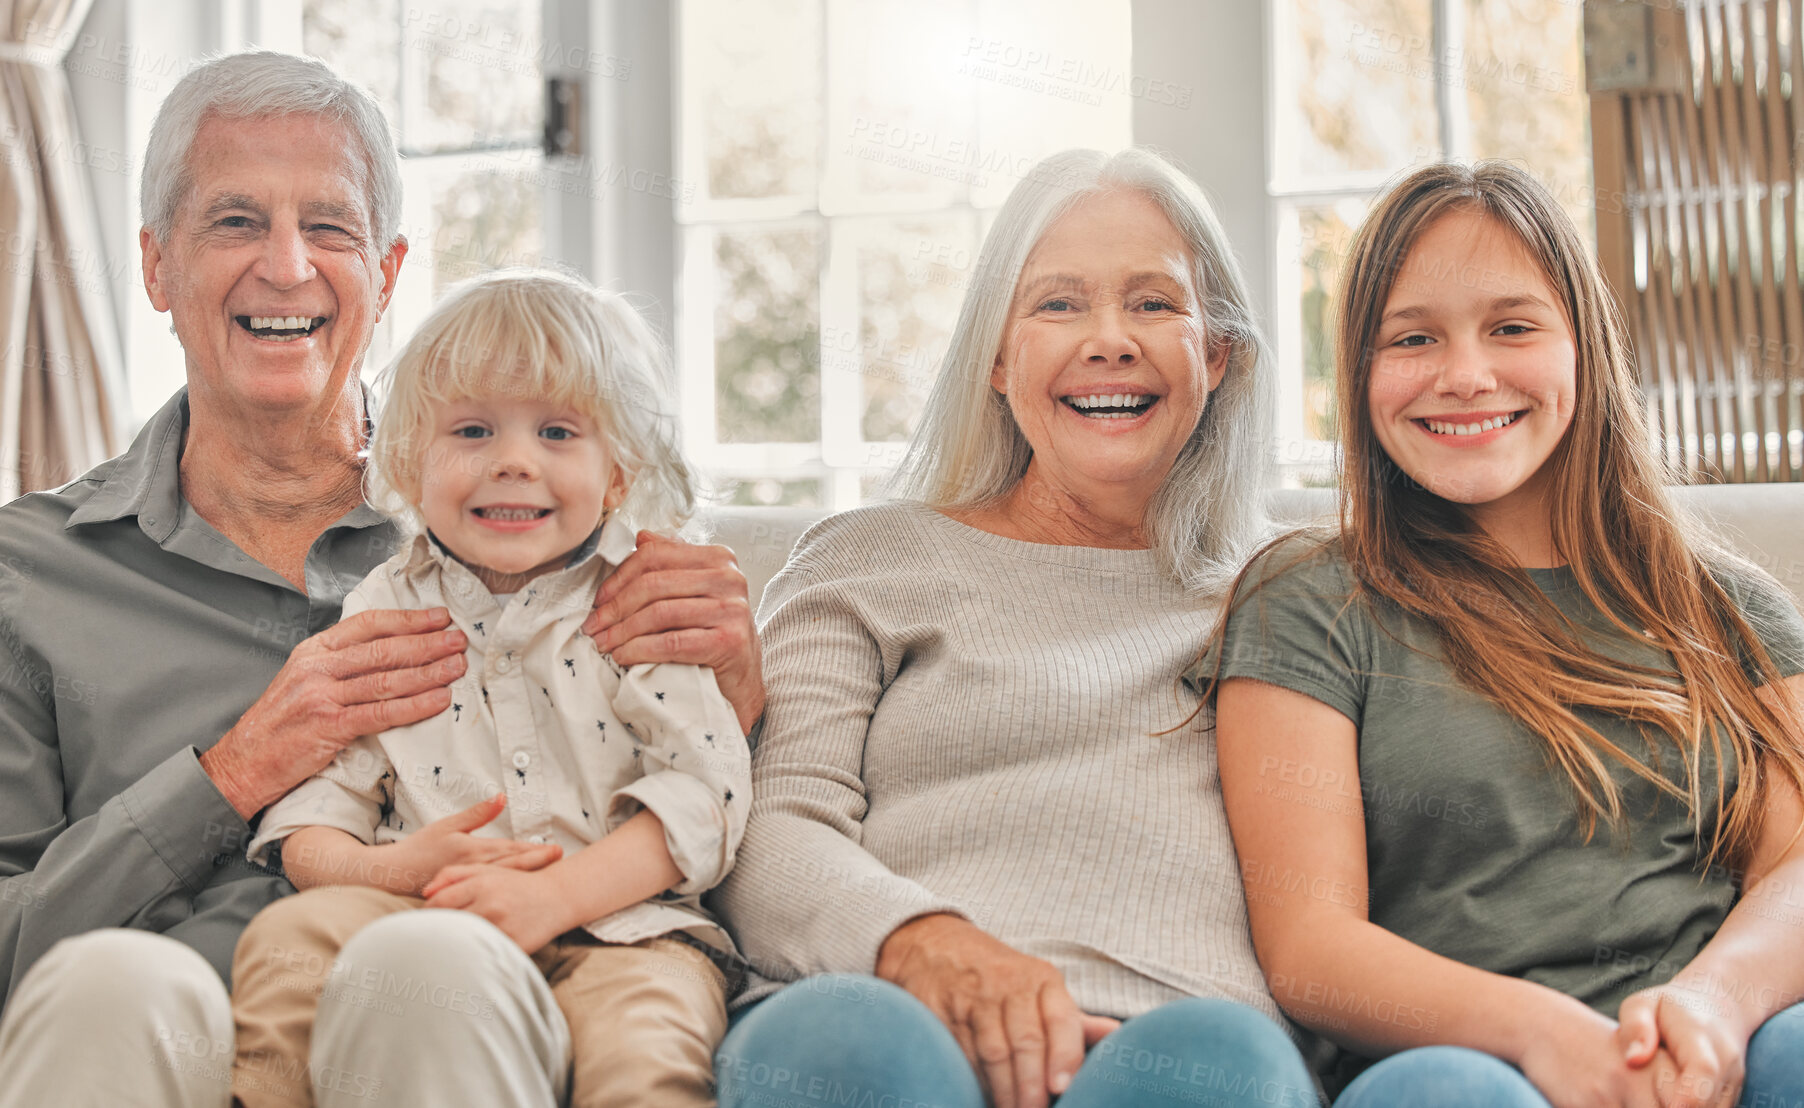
578,806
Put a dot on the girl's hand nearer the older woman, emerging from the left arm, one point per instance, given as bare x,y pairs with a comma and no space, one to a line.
1579,1062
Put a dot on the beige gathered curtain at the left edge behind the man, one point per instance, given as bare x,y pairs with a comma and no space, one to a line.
62,376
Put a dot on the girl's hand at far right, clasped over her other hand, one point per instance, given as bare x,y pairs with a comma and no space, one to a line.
1707,1051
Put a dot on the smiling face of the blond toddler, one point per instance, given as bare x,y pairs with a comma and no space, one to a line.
513,486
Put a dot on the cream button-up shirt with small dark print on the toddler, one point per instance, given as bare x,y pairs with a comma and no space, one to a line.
576,743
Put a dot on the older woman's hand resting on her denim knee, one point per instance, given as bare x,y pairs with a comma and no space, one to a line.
1011,1015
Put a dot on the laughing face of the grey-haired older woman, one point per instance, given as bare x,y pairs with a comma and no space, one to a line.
1105,360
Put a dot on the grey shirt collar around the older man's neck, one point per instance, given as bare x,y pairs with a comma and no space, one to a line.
147,479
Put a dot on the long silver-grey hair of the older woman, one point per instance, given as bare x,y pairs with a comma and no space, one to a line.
968,450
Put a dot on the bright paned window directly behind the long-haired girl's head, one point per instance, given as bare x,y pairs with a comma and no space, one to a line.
1365,89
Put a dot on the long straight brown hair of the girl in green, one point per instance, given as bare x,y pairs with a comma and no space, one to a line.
1630,549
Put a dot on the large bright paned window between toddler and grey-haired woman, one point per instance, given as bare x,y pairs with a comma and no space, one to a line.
840,163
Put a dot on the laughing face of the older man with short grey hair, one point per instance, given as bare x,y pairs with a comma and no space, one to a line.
272,273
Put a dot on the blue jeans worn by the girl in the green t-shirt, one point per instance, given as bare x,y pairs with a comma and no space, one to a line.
1459,1078
